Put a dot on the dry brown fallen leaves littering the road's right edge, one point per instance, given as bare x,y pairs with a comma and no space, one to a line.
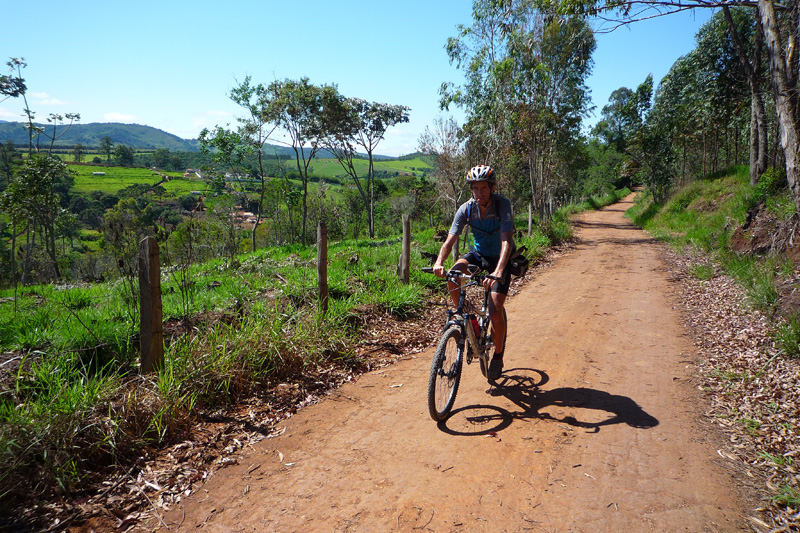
752,389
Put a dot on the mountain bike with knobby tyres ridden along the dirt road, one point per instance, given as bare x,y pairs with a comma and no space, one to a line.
467,335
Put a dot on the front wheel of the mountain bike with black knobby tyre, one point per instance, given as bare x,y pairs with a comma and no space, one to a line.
445,374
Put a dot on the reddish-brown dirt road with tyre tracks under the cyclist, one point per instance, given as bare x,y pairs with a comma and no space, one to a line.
595,426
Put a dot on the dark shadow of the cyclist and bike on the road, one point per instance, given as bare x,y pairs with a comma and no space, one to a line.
522,387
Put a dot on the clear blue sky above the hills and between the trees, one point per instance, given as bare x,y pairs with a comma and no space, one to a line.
171,64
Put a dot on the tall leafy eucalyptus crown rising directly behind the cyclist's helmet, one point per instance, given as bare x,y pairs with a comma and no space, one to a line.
525,93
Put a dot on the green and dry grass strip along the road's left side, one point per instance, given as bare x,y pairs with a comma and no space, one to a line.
74,402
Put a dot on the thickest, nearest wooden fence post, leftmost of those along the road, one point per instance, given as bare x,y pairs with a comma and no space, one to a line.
151,327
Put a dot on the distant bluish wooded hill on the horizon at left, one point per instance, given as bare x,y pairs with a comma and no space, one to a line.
134,135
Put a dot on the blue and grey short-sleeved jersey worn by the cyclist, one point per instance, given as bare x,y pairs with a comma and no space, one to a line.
487,231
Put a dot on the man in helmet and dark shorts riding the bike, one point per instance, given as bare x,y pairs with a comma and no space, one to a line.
492,223
